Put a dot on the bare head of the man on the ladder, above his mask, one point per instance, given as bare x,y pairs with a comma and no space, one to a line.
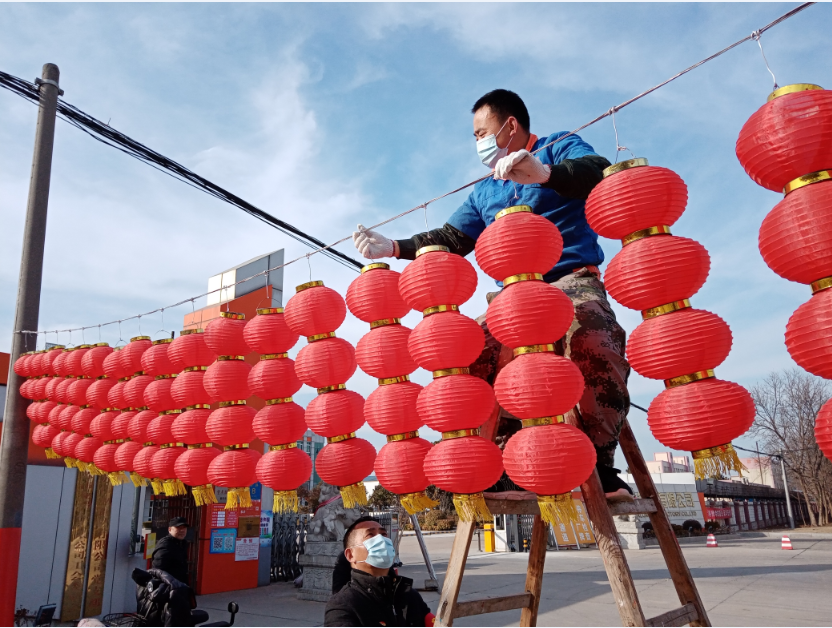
502,113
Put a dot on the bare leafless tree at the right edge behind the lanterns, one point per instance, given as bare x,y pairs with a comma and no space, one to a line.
787,406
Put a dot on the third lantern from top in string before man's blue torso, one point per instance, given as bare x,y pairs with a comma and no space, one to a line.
539,385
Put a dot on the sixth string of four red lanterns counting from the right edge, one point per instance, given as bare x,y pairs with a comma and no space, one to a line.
326,363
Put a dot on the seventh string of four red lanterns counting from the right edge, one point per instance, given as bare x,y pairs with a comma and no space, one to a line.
280,423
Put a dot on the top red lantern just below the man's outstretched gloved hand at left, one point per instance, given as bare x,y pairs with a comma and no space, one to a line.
374,296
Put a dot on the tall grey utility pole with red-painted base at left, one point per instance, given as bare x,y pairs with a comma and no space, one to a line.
14,447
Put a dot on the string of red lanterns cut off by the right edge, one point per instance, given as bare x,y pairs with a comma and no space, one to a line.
786,146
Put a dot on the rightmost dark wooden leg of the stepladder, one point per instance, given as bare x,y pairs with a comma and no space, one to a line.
676,563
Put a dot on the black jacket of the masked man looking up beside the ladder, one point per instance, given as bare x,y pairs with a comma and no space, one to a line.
370,601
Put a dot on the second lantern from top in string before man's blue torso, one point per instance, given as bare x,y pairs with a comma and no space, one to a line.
529,313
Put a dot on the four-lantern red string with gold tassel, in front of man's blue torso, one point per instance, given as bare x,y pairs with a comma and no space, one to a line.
547,456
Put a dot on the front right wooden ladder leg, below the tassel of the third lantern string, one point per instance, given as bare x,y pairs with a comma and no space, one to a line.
618,571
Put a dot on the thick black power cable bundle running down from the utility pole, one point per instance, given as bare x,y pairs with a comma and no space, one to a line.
109,136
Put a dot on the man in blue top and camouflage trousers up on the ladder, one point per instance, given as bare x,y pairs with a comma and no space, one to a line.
555,182
